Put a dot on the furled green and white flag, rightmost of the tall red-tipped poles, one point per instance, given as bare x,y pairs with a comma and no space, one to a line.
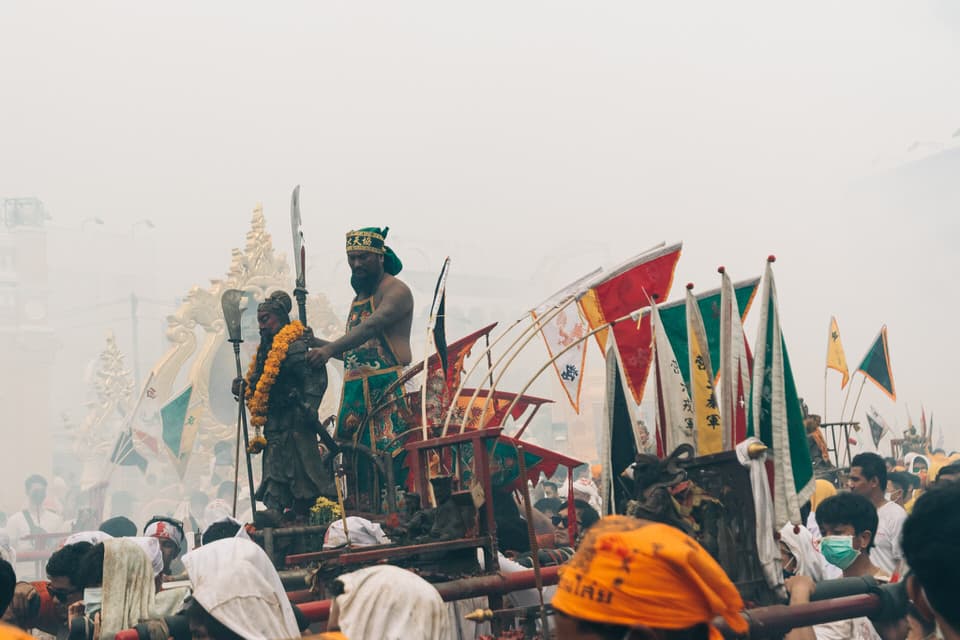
776,416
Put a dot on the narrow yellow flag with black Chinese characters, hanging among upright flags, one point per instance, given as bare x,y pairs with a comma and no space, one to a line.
706,406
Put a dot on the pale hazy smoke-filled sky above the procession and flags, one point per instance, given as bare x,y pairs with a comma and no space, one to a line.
528,140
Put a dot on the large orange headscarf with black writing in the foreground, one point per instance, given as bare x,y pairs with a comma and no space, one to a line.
629,572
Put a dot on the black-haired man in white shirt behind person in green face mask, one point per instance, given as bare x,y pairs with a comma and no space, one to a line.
868,478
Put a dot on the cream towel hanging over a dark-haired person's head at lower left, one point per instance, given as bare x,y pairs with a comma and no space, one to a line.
128,586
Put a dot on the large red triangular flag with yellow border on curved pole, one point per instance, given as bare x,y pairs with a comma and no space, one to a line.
626,290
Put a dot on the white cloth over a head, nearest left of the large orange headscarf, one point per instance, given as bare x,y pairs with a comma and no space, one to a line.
391,603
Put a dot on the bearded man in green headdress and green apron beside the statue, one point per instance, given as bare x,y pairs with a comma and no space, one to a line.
376,346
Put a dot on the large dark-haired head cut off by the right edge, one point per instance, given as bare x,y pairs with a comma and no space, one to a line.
930,541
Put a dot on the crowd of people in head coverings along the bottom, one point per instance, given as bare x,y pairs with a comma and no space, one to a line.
626,577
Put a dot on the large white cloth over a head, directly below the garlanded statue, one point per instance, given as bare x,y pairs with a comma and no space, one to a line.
235,582
